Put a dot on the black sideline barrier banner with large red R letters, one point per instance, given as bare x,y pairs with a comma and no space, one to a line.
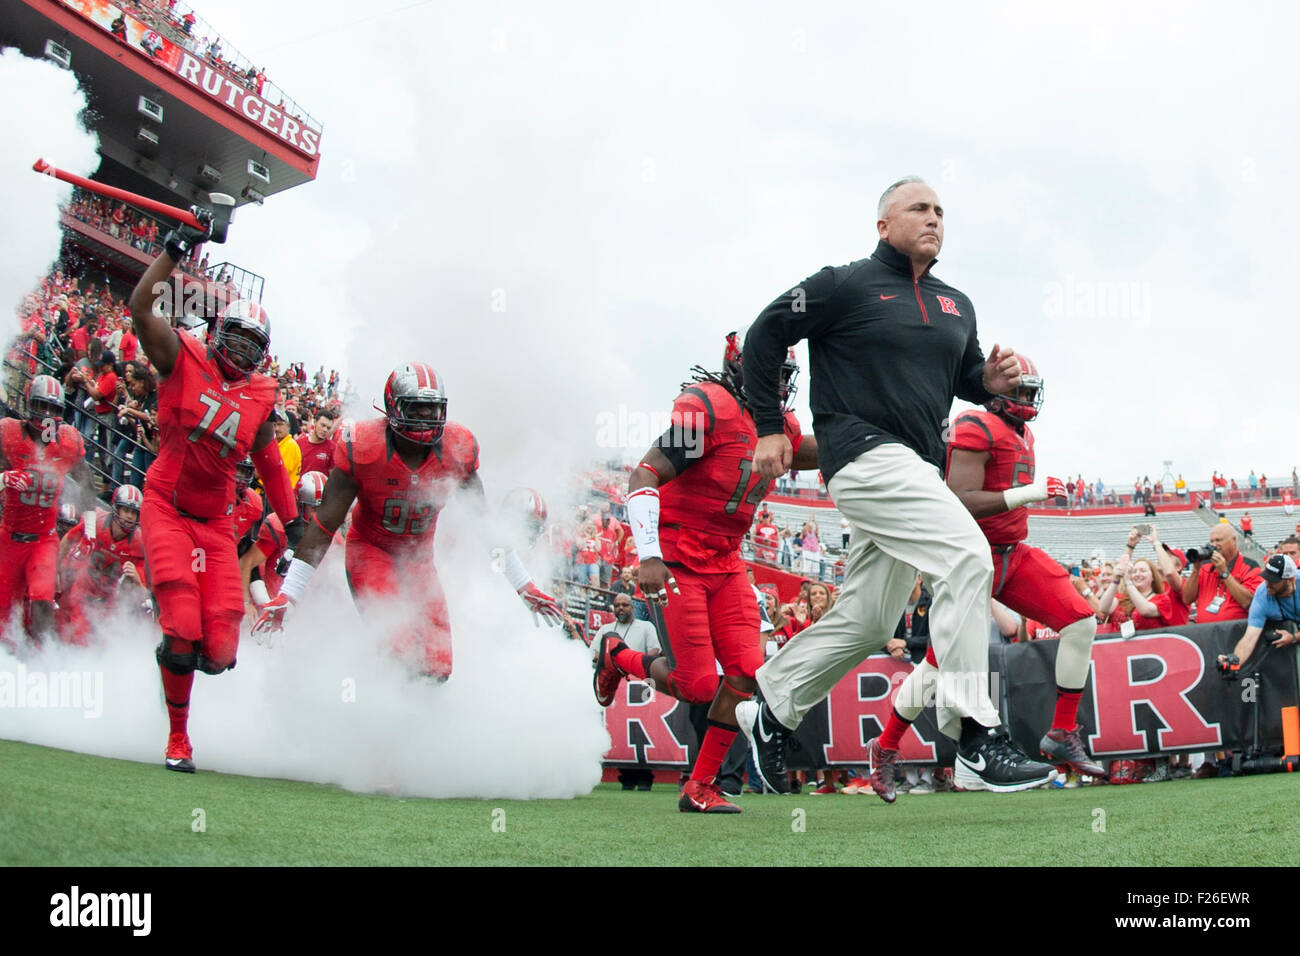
1156,694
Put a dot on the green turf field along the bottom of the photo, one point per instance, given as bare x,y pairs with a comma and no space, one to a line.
72,810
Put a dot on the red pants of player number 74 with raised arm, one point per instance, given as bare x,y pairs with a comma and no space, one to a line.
194,572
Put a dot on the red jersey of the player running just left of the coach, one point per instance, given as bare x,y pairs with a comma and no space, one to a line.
708,509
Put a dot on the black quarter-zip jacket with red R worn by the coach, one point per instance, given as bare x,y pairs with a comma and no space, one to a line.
887,356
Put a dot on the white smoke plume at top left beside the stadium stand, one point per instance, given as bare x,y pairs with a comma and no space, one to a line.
40,110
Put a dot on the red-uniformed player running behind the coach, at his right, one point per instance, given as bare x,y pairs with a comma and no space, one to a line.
991,468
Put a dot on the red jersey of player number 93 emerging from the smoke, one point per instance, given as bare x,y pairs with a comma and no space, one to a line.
396,507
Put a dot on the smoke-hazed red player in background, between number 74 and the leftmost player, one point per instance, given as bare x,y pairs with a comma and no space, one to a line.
102,553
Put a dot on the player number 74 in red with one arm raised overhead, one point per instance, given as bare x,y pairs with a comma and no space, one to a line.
213,409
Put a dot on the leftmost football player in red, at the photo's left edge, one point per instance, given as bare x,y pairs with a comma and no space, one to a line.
36,456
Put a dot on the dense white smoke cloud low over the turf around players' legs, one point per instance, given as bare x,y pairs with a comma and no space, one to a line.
327,703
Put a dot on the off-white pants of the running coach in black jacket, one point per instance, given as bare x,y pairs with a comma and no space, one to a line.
904,520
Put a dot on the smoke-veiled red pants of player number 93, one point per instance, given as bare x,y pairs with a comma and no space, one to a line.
380,579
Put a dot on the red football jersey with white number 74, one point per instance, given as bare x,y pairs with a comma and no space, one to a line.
206,427
